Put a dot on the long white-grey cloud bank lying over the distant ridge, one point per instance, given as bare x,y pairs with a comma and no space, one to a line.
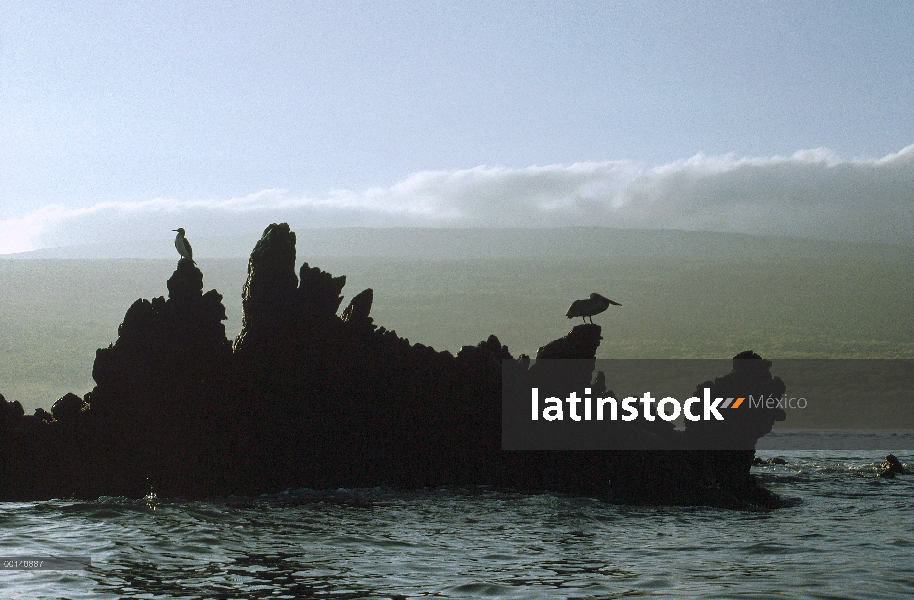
811,193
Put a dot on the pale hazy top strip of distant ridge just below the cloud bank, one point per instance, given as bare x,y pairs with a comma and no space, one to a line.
460,243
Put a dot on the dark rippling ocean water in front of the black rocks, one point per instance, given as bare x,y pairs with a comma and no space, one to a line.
849,535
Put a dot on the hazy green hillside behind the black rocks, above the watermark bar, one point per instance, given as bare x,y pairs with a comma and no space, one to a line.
711,296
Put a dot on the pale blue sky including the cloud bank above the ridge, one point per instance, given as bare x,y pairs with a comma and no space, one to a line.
127,120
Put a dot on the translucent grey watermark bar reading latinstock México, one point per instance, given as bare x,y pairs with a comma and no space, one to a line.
736,404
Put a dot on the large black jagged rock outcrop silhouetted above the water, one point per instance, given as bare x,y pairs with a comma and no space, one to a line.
307,398
